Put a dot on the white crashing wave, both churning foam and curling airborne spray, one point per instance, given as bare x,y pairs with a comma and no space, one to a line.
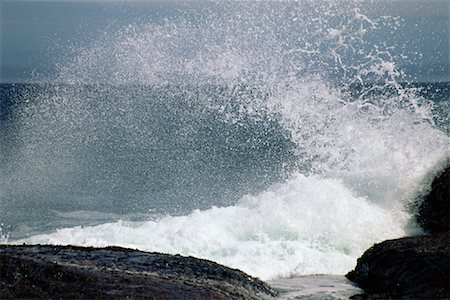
365,156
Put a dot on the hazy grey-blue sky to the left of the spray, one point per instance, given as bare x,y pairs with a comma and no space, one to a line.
35,34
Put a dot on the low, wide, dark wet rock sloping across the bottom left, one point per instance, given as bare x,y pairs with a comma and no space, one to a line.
107,273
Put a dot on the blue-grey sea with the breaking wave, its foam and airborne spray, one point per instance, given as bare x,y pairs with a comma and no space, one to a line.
278,138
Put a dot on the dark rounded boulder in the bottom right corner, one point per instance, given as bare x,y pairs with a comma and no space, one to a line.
410,267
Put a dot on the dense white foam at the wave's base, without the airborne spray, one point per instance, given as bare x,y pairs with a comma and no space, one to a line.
307,225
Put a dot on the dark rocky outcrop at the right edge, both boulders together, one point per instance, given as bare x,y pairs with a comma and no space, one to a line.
412,267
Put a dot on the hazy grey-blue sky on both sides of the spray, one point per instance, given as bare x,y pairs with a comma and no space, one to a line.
36,34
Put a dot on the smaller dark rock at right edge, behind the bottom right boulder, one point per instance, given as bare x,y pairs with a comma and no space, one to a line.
434,210
